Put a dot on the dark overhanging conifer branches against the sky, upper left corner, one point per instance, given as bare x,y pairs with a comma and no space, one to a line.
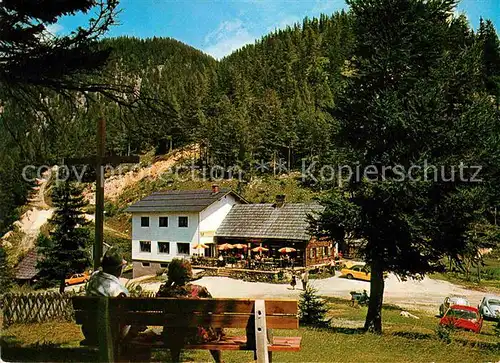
33,56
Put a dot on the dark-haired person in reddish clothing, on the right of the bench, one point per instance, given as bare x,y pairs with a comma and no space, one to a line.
179,274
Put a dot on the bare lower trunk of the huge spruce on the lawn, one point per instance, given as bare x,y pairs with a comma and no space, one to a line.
373,322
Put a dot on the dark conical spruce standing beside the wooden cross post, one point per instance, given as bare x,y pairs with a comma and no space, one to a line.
67,253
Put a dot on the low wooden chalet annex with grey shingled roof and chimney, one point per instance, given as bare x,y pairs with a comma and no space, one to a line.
275,226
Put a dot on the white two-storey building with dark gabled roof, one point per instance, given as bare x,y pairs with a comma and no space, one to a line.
167,225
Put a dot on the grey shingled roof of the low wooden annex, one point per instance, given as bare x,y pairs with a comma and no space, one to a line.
268,221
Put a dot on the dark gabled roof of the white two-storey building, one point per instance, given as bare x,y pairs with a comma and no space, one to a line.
180,201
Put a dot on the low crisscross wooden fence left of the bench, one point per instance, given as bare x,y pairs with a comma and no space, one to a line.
36,308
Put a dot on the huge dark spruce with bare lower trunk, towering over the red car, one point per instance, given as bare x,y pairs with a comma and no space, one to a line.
413,111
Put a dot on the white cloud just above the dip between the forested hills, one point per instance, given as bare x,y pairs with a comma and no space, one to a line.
229,36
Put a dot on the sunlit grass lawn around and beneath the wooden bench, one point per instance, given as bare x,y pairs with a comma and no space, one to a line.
403,340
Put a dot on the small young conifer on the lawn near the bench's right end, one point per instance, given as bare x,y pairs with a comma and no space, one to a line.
312,309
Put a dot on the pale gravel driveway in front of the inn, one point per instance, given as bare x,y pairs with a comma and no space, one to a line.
424,295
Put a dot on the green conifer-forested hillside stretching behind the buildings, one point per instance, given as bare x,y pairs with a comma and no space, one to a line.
270,102
